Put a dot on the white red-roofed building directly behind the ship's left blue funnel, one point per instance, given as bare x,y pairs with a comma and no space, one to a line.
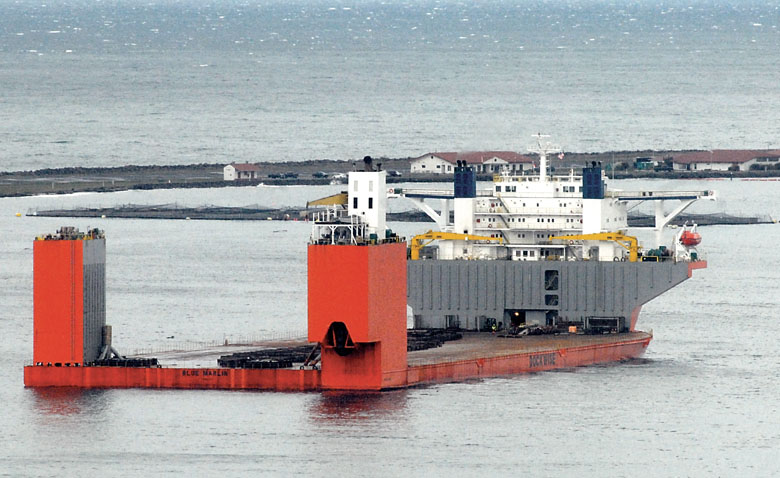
483,162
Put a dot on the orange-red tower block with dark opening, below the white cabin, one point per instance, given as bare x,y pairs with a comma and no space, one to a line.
357,312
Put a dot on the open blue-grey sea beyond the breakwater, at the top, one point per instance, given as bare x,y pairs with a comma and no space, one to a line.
129,82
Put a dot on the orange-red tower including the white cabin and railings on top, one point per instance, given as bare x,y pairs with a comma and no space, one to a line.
357,290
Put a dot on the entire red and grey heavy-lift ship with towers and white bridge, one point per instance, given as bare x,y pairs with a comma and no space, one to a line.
507,303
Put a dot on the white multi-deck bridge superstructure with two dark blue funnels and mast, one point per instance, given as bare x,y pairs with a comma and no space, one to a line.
525,211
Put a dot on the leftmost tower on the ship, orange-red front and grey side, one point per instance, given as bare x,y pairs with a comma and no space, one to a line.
69,307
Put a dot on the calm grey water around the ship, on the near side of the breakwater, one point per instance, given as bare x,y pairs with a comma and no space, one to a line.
703,401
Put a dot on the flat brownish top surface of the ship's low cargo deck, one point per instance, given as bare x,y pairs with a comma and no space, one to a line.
473,345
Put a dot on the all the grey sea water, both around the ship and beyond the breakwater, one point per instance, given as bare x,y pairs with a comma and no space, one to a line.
112,83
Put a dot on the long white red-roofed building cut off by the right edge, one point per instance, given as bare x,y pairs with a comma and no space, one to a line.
725,160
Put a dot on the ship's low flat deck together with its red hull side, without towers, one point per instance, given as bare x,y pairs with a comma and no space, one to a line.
476,355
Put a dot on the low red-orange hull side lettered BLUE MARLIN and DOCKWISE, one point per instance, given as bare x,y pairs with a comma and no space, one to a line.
617,348
